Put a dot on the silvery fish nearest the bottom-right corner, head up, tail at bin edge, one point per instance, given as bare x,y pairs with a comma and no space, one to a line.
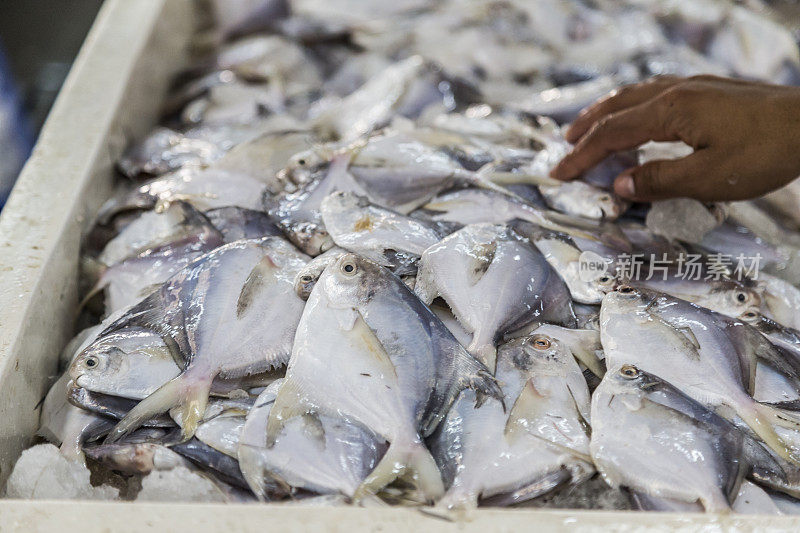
649,436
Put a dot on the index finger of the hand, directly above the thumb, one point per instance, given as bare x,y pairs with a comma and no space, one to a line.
620,131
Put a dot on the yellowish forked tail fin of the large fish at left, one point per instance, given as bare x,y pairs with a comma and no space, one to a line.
192,398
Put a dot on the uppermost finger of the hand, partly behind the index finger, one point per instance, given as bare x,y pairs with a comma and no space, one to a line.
619,100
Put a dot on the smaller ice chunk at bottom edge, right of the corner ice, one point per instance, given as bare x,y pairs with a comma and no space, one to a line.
180,485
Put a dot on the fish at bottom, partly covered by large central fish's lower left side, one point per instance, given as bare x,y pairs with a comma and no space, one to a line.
318,453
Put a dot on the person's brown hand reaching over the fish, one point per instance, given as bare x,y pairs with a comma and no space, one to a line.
745,135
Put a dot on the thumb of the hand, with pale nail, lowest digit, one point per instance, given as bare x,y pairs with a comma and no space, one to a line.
689,177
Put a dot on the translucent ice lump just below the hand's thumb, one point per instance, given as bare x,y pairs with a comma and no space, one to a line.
682,219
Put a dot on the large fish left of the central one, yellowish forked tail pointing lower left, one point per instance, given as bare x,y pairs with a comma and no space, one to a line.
236,289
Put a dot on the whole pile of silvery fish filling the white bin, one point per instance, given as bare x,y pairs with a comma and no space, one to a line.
339,269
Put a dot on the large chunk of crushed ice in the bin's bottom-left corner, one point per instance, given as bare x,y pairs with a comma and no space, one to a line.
43,473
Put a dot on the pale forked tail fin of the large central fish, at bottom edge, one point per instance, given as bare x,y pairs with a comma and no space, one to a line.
396,462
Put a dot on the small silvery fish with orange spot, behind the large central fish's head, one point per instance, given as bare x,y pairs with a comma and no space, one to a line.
383,236
